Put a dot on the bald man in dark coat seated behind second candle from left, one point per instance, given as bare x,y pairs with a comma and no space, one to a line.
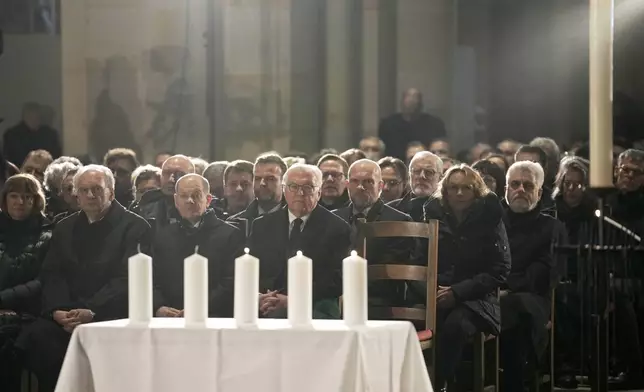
199,227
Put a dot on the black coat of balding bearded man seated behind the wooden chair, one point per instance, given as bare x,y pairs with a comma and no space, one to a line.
384,251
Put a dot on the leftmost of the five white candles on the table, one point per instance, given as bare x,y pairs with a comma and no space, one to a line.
140,288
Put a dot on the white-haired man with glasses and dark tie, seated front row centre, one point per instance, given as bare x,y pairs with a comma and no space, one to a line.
301,225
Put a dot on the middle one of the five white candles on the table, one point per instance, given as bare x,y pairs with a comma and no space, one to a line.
246,289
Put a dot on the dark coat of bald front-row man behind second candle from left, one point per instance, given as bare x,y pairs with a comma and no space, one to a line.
218,241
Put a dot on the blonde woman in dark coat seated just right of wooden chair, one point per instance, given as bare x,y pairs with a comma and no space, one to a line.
474,261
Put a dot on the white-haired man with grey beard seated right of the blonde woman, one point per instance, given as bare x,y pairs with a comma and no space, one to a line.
525,297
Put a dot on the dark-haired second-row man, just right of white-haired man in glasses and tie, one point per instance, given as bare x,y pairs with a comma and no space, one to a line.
334,187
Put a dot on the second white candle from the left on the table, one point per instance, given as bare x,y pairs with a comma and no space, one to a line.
195,289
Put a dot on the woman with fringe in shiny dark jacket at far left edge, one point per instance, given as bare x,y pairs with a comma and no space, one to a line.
24,241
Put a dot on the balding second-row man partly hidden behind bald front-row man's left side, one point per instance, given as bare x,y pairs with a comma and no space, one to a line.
158,205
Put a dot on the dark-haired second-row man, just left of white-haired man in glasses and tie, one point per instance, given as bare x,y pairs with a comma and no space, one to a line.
267,186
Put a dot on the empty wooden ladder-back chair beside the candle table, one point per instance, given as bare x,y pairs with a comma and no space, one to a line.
403,271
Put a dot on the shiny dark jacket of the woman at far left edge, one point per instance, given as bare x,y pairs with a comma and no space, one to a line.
23,246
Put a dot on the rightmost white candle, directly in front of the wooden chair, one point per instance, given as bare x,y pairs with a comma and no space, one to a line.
354,290
